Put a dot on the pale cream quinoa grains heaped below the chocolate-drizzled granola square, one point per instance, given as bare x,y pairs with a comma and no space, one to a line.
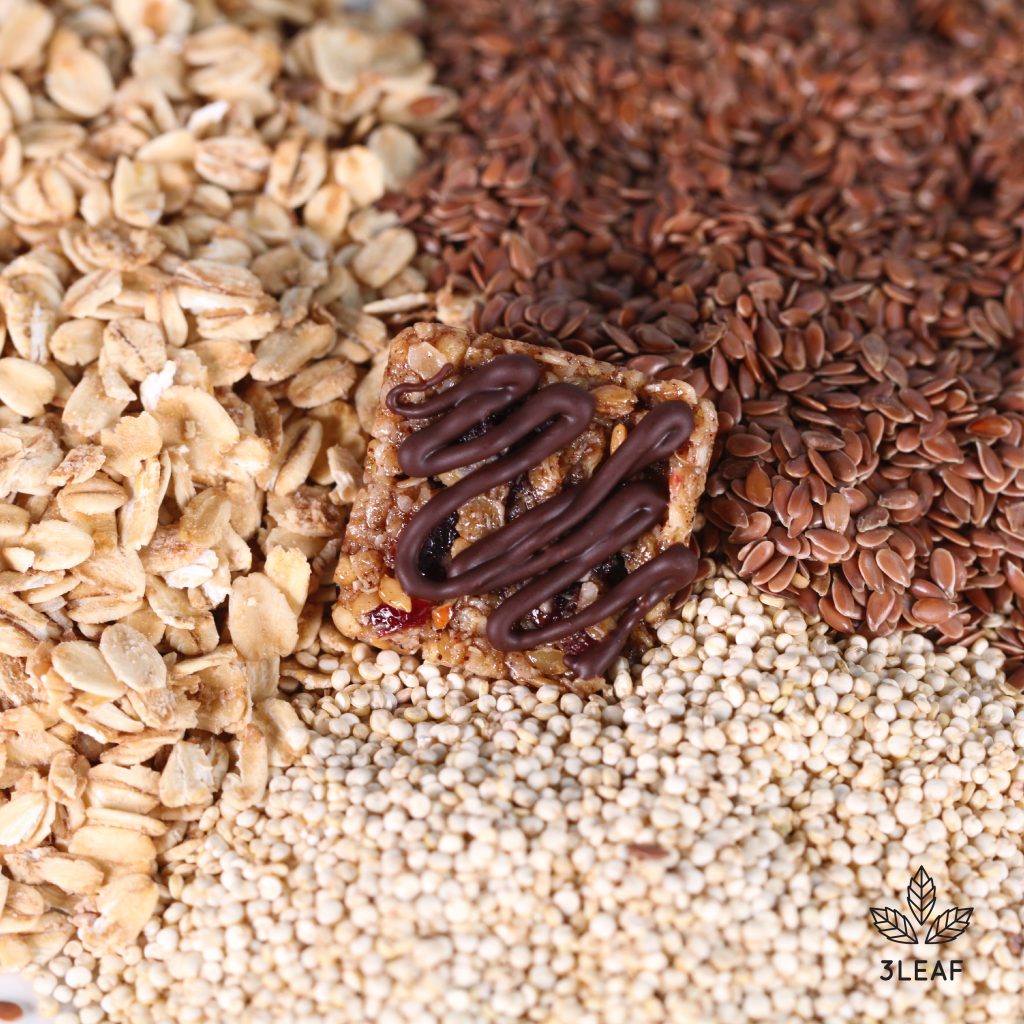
705,843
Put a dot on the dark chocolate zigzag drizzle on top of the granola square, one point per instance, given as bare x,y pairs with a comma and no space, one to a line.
554,544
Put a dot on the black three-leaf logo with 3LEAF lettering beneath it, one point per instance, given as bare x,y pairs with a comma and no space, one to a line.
898,927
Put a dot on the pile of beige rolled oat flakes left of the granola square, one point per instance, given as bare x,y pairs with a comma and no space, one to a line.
197,284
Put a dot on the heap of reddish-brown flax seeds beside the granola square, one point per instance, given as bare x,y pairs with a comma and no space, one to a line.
808,212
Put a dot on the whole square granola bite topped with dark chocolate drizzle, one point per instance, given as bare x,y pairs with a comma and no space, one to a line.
526,513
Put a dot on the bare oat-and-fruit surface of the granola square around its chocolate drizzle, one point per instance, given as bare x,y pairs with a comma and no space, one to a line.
372,606
